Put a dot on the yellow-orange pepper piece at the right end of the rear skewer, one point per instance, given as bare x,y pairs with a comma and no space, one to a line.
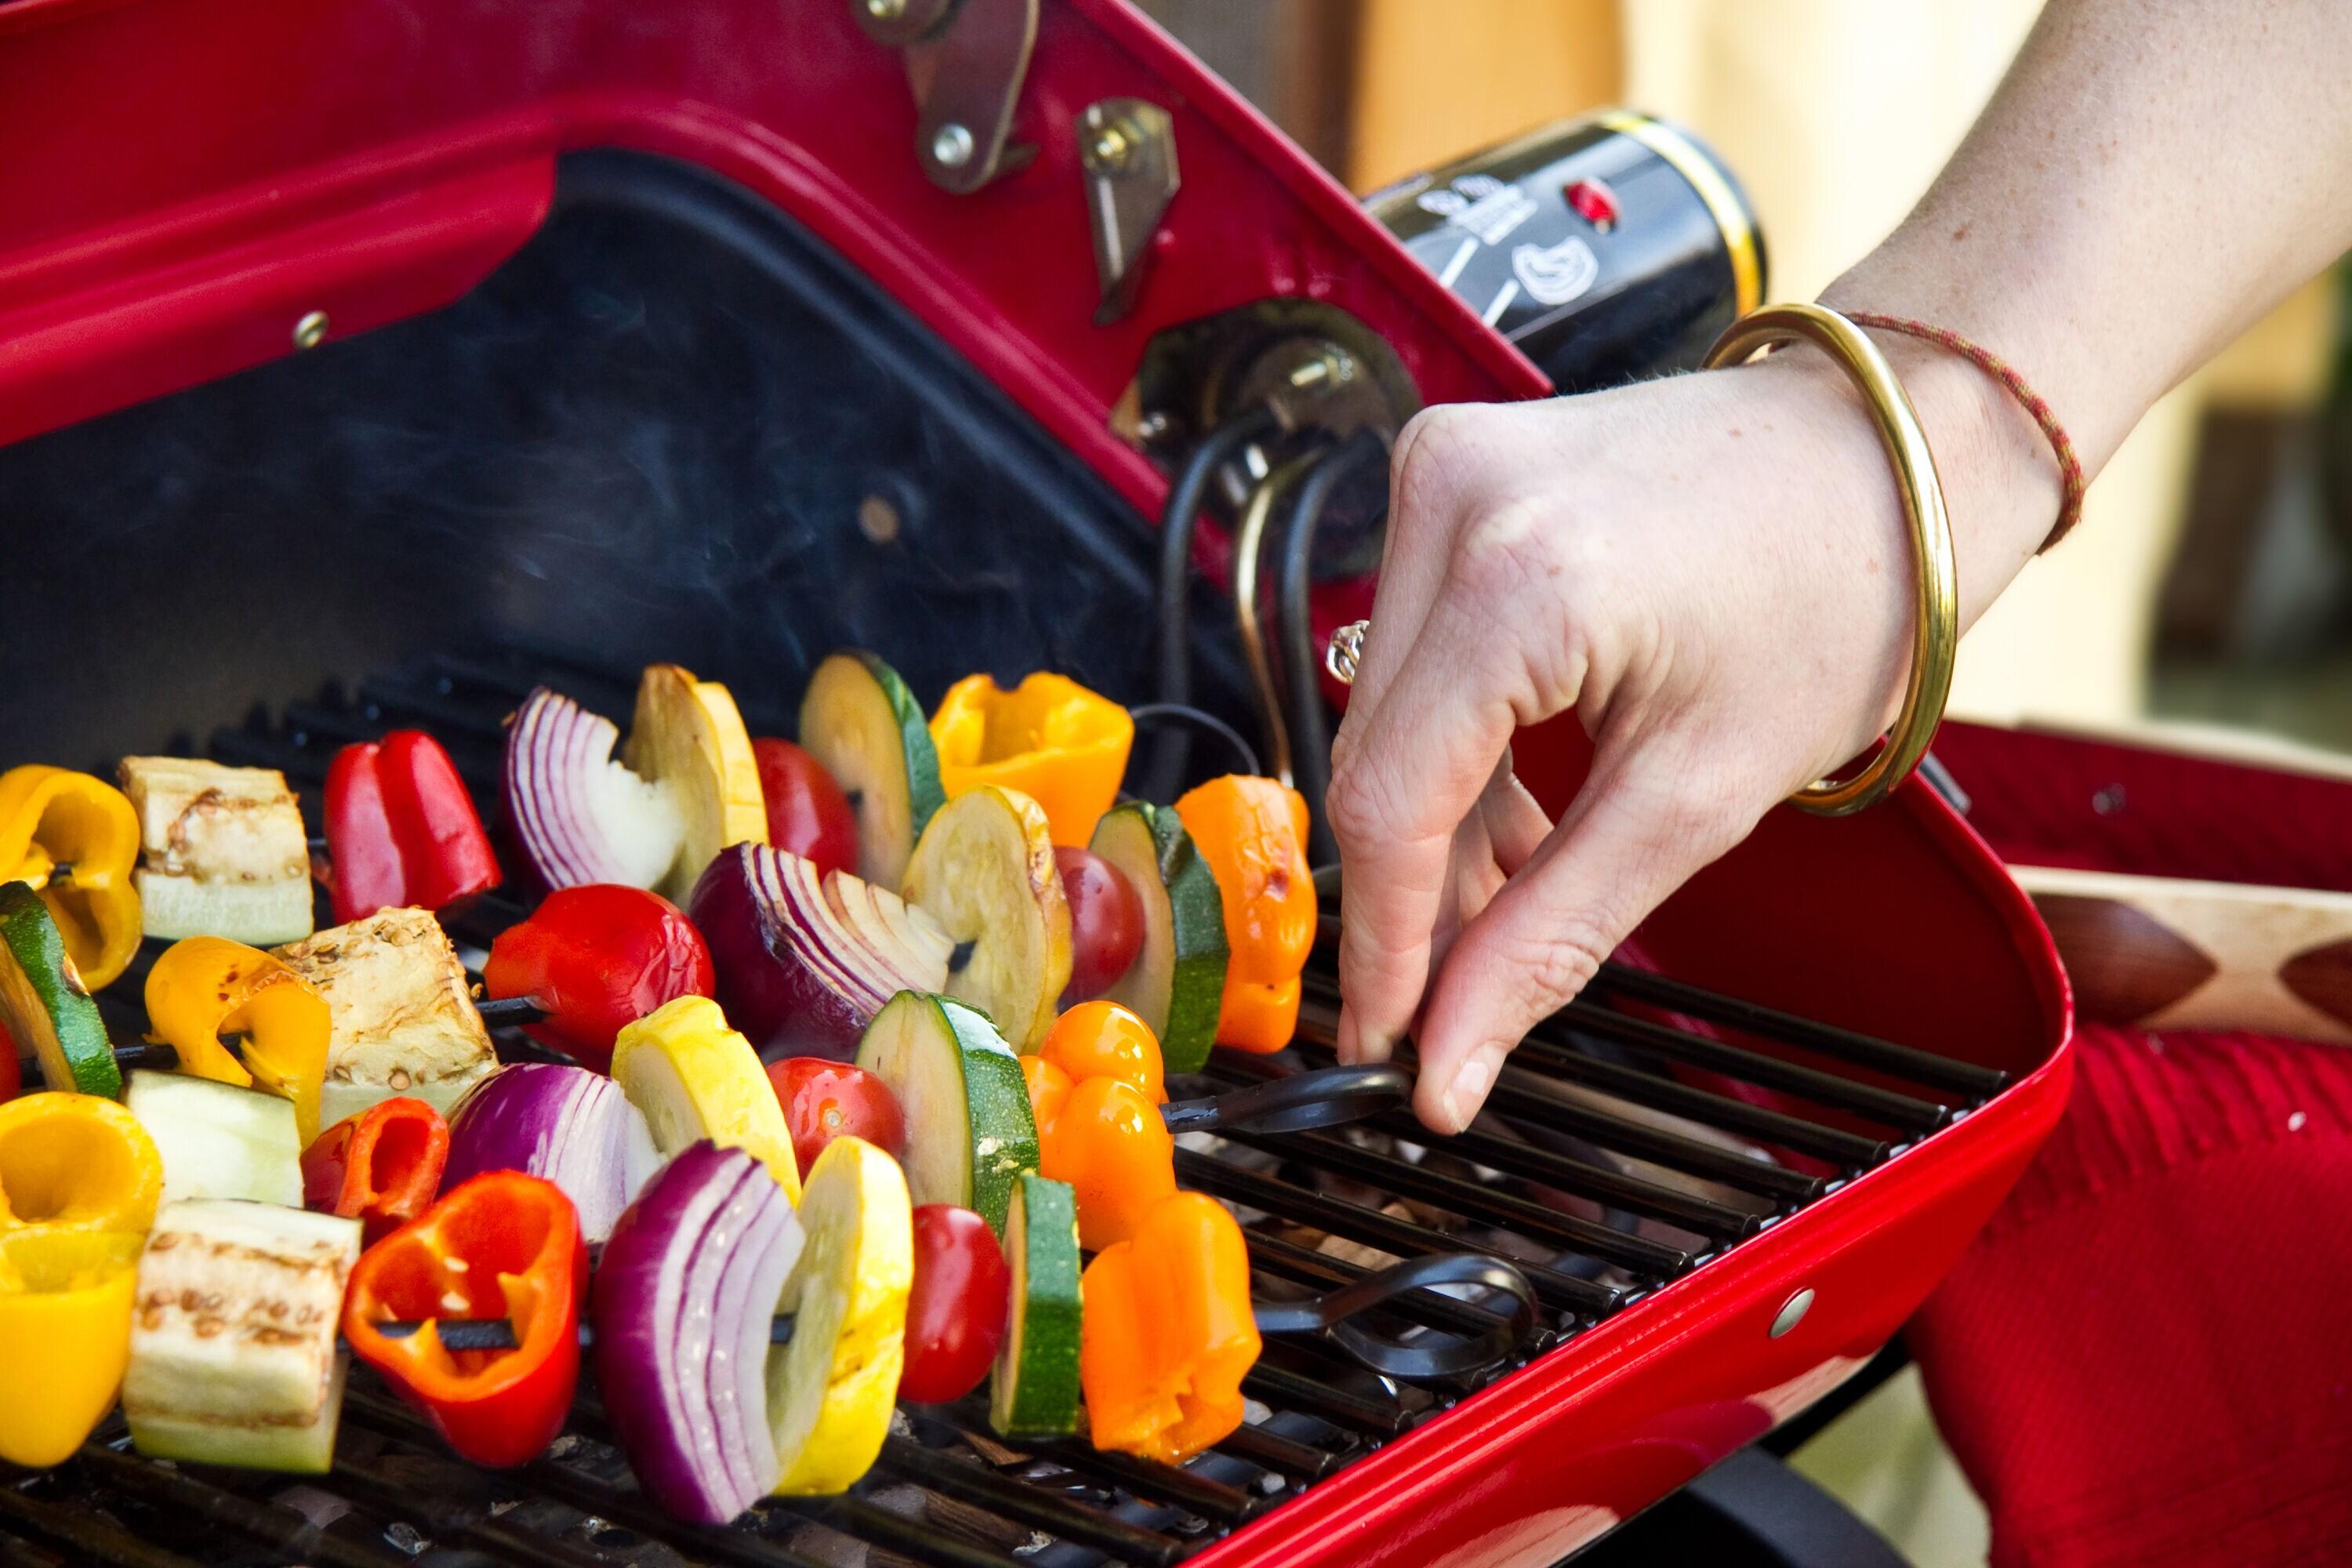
1053,739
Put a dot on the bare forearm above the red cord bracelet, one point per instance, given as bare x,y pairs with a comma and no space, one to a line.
2146,185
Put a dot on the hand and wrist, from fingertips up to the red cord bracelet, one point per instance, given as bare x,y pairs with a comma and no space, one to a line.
1716,575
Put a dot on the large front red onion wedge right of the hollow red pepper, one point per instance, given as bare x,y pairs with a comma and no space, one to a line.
683,1304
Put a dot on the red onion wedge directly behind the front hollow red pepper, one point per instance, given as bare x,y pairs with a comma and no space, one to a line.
563,1125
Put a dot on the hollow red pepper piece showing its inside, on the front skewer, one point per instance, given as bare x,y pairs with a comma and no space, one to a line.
502,1245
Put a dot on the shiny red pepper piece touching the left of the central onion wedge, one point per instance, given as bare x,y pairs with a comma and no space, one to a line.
599,958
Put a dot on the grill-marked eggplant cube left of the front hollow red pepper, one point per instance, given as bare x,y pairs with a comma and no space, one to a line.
234,1336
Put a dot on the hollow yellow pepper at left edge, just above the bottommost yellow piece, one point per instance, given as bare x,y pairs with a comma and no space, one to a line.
74,1162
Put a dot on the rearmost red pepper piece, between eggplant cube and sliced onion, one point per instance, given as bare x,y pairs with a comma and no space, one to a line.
401,829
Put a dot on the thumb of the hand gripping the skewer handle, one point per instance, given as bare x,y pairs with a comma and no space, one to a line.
1629,843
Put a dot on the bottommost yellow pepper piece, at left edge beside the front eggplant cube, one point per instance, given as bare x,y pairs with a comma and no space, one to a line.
67,1315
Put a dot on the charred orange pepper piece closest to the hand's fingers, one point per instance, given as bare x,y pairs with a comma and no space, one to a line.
1252,833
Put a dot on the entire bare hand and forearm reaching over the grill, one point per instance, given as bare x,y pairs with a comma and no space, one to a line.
1713,570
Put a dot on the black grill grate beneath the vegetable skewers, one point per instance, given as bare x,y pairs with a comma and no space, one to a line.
1598,1172
